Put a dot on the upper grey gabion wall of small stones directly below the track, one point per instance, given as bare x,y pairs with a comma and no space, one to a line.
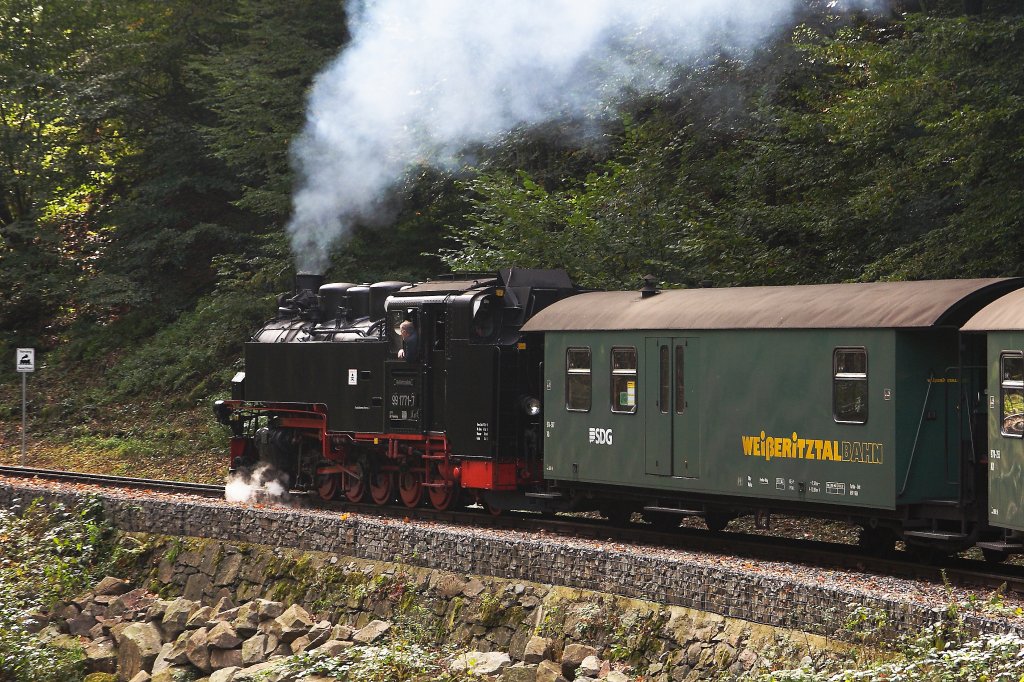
767,601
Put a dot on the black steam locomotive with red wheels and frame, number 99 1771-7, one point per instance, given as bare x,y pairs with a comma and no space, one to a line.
331,402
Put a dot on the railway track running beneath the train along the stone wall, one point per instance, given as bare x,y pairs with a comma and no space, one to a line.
826,556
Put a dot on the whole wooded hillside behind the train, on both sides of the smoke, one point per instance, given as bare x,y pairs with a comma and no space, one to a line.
146,184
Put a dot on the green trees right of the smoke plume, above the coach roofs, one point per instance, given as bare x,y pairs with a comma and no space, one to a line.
875,151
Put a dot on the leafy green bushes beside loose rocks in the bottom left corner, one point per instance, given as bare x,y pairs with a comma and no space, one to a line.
48,555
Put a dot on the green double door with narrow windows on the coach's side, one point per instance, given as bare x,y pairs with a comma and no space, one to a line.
673,444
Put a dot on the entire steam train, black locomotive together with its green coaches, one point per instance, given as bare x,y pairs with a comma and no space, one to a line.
898,407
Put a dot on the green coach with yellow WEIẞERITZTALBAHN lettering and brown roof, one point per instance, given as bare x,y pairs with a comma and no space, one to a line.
862,401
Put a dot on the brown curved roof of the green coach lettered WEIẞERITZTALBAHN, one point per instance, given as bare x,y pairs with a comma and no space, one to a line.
875,305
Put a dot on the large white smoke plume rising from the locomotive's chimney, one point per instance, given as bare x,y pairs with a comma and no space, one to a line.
420,81
